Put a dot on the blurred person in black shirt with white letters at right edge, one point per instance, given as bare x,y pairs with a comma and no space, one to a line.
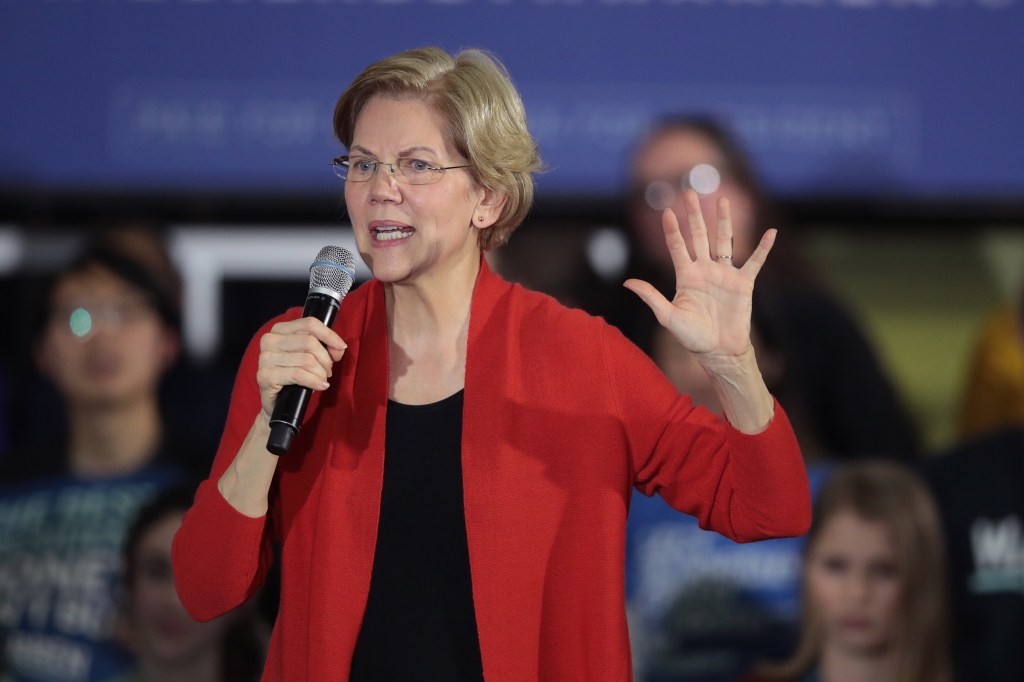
979,488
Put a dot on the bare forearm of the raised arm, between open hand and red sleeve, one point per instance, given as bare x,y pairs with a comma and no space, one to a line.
738,381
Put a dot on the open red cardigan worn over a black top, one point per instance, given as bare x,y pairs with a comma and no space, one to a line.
563,418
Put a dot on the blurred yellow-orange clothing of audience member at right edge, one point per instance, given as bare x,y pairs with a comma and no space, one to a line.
994,397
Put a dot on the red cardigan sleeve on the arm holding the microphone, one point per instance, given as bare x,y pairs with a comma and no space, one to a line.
222,557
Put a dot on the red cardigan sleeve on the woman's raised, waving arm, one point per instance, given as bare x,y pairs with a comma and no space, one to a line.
747,488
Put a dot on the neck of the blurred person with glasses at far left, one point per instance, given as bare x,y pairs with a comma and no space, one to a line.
114,440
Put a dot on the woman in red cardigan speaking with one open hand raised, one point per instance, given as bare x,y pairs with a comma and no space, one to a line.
454,507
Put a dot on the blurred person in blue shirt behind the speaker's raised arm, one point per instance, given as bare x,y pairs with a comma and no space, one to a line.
703,609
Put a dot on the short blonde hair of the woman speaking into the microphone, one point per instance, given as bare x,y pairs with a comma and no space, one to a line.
486,119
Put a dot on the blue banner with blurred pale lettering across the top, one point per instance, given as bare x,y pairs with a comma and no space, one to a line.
850,99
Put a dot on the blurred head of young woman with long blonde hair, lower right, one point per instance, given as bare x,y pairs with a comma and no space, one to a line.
874,586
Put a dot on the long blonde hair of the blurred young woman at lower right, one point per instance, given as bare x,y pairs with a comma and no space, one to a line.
888,494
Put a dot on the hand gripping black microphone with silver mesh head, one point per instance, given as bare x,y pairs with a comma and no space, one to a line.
304,349
